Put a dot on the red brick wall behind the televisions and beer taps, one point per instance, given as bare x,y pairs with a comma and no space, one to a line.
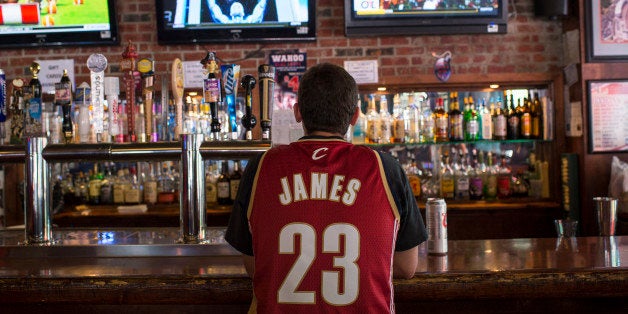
532,45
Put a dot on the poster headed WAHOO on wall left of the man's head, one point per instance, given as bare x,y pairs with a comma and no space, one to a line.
289,67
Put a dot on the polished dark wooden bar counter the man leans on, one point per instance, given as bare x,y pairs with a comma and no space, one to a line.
147,270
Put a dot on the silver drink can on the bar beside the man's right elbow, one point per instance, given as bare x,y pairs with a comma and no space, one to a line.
436,221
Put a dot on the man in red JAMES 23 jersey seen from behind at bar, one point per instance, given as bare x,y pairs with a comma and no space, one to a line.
323,224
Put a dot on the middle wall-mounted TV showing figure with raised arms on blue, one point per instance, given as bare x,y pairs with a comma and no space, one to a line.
210,21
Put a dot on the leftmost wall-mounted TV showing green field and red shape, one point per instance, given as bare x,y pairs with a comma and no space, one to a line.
58,23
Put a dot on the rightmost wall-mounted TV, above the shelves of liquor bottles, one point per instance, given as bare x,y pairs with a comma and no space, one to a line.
426,17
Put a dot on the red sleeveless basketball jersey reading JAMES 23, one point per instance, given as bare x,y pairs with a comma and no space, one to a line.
324,225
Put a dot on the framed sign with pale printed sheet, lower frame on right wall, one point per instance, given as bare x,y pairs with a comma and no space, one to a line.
608,116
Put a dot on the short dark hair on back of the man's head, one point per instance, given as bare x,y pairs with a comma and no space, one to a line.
327,98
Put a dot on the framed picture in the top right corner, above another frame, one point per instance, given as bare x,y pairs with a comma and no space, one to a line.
607,30
